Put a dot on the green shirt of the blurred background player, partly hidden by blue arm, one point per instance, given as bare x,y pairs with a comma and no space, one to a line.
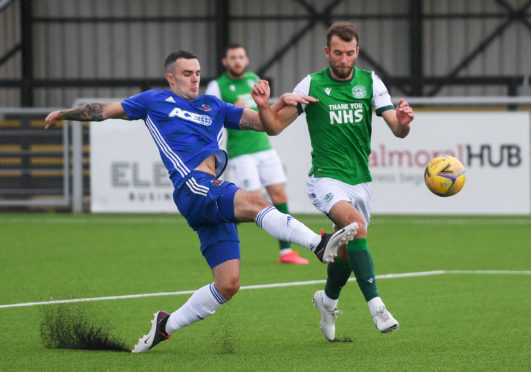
240,142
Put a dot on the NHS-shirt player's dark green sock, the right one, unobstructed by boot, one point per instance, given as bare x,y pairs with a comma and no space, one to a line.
360,260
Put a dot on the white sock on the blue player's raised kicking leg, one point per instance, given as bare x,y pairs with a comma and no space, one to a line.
285,227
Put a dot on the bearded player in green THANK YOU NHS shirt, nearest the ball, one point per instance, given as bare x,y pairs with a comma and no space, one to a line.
339,182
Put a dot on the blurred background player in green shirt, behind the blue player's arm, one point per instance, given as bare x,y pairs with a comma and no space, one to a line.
253,161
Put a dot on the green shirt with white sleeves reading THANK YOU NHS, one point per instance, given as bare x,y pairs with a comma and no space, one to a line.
340,123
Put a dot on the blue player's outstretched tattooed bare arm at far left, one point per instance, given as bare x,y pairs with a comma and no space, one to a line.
87,112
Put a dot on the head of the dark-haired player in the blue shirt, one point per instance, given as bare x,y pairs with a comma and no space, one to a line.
184,77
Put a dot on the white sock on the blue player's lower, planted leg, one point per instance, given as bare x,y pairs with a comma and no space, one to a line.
203,303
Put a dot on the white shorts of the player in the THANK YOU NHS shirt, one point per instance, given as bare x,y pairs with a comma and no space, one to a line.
325,192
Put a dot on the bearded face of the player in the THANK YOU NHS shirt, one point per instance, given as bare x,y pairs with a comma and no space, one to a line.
342,56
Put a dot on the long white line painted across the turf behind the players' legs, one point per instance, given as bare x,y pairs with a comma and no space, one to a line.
272,285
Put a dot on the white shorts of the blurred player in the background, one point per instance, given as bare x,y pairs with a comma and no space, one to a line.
254,171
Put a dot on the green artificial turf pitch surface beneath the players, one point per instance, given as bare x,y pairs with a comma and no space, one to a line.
452,321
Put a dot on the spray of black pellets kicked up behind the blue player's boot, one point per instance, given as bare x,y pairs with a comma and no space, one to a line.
71,327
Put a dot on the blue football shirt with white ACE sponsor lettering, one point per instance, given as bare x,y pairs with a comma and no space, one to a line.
185,132
